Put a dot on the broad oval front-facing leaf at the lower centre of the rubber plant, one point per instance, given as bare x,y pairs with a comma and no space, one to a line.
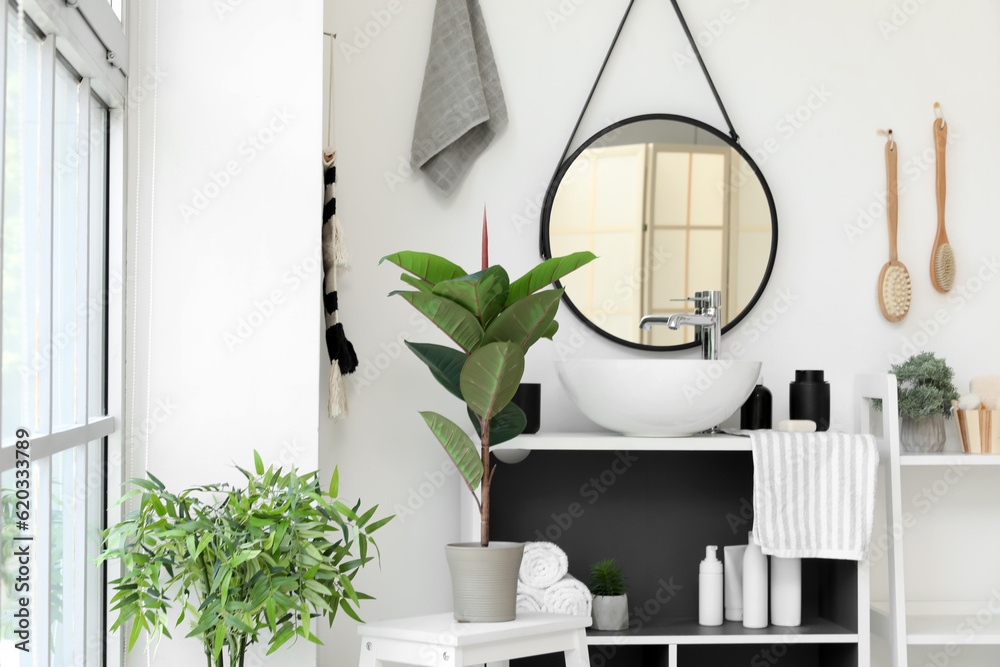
491,376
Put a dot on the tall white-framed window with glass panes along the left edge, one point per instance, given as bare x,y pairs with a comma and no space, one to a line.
60,241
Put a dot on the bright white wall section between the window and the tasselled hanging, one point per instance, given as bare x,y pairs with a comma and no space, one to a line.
208,390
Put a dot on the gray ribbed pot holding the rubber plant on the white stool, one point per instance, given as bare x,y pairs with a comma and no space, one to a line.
484,581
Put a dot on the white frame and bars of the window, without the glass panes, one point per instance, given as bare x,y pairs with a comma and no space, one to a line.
89,35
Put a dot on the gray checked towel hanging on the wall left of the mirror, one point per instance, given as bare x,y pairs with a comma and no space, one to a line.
461,104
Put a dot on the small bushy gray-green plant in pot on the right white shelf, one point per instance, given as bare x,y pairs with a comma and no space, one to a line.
925,392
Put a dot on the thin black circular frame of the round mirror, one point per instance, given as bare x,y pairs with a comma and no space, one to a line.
550,194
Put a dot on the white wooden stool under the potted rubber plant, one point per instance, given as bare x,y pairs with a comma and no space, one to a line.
440,641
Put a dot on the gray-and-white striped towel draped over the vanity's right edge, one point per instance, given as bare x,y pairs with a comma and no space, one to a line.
814,494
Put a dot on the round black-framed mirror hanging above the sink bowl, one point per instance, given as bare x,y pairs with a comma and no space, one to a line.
670,206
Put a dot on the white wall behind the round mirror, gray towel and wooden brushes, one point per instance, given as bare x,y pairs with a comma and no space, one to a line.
771,61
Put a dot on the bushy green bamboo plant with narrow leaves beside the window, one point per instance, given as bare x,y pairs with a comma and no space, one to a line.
240,562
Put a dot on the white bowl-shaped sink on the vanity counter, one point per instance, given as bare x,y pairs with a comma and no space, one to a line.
658,397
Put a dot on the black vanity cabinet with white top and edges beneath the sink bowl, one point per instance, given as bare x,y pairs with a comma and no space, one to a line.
653,504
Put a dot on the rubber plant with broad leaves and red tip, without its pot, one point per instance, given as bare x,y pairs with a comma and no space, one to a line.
494,322
